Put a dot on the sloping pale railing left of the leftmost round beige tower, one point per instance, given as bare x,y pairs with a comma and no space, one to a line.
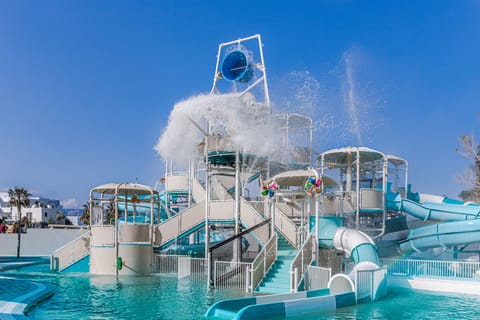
70,253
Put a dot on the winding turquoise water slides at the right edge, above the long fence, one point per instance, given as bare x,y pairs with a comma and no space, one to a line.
460,223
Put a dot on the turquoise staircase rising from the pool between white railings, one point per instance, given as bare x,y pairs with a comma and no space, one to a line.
278,279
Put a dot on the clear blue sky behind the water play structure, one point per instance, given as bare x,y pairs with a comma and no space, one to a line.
86,87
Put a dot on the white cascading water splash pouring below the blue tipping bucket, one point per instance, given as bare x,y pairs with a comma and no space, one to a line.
240,118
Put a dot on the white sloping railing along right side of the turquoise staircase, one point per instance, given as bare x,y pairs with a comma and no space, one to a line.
299,264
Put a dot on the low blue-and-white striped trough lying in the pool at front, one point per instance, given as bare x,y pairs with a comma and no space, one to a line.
280,305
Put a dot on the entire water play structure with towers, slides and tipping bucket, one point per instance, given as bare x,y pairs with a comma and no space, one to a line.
265,214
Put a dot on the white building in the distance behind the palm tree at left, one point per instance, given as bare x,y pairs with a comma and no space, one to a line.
40,210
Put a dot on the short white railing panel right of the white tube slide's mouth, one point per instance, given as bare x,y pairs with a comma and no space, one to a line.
370,285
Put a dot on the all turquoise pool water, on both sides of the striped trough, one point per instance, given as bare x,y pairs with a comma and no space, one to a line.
80,296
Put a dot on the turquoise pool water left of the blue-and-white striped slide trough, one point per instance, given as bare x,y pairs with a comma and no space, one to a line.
84,296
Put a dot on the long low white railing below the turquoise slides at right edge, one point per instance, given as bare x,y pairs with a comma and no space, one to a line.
433,268
